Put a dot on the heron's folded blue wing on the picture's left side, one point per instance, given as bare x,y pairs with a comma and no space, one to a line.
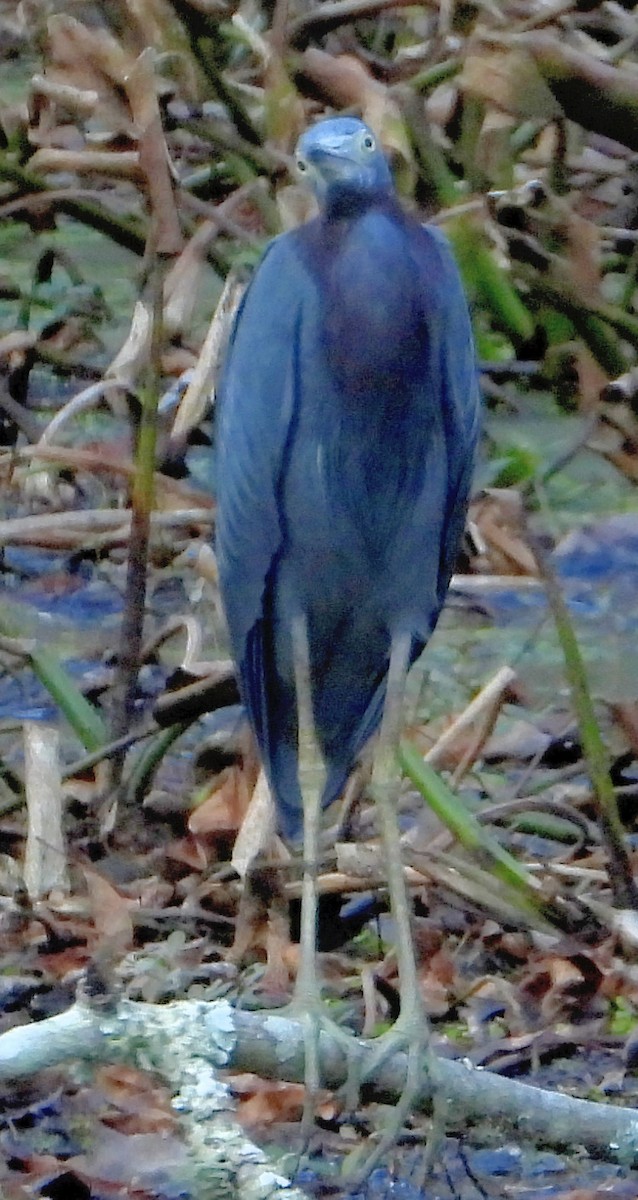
257,398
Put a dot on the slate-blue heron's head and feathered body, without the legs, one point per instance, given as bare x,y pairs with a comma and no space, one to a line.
347,431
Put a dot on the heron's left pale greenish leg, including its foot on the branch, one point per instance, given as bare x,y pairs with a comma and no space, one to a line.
308,995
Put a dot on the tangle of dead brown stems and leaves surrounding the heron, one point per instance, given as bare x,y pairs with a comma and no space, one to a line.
145,159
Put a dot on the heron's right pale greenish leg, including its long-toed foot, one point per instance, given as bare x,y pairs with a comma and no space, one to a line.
411,1033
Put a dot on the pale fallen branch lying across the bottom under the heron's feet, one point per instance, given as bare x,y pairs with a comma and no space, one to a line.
188,1041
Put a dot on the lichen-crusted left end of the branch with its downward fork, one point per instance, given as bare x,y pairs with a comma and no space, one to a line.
185,1043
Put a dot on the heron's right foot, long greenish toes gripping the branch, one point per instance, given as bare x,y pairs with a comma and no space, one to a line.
411,1037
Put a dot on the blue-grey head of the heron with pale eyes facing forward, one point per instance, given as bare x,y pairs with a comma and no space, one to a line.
342,155
